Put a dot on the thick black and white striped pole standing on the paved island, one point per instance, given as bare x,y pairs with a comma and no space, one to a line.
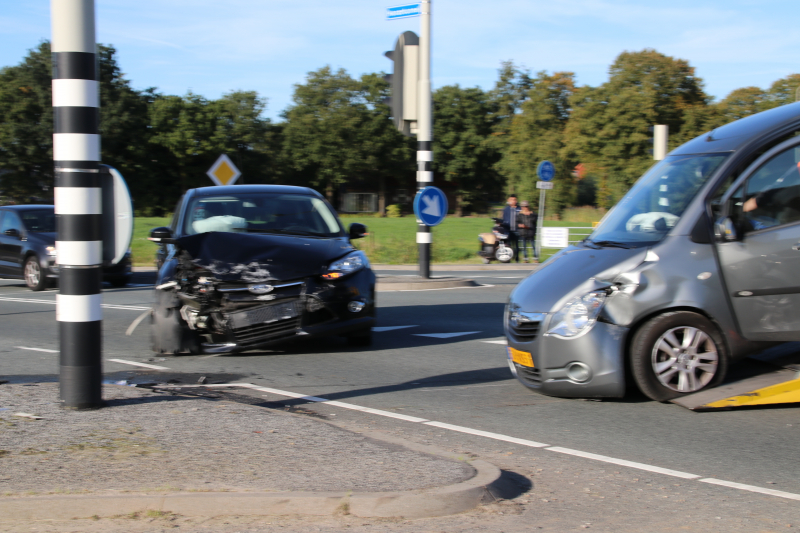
78,201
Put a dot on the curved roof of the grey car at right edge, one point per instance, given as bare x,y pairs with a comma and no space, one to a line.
738,134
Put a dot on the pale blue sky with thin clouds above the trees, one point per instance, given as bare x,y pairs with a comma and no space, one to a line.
268,46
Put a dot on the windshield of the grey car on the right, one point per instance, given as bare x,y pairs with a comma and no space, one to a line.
656,202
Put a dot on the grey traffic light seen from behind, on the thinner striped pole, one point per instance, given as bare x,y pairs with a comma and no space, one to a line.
404,82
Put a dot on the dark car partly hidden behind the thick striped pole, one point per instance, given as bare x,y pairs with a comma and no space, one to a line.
28,247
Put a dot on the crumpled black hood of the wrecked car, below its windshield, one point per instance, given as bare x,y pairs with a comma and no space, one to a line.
251,257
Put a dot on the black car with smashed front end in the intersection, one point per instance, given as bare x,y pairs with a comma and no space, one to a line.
245,266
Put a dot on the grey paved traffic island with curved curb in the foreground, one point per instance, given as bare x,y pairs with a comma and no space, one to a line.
195,452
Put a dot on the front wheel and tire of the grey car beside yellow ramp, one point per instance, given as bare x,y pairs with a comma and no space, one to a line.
677,353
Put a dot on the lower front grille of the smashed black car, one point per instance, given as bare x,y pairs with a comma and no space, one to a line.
266,322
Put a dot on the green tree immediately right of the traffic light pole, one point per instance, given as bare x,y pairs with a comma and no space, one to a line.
463,152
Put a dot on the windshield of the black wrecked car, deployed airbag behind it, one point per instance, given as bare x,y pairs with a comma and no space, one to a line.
291,214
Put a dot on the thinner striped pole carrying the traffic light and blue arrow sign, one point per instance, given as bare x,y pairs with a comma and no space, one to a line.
424,134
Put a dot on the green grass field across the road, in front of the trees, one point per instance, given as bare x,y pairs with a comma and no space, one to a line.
391,241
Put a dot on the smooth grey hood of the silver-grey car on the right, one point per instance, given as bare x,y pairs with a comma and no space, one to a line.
575,270
